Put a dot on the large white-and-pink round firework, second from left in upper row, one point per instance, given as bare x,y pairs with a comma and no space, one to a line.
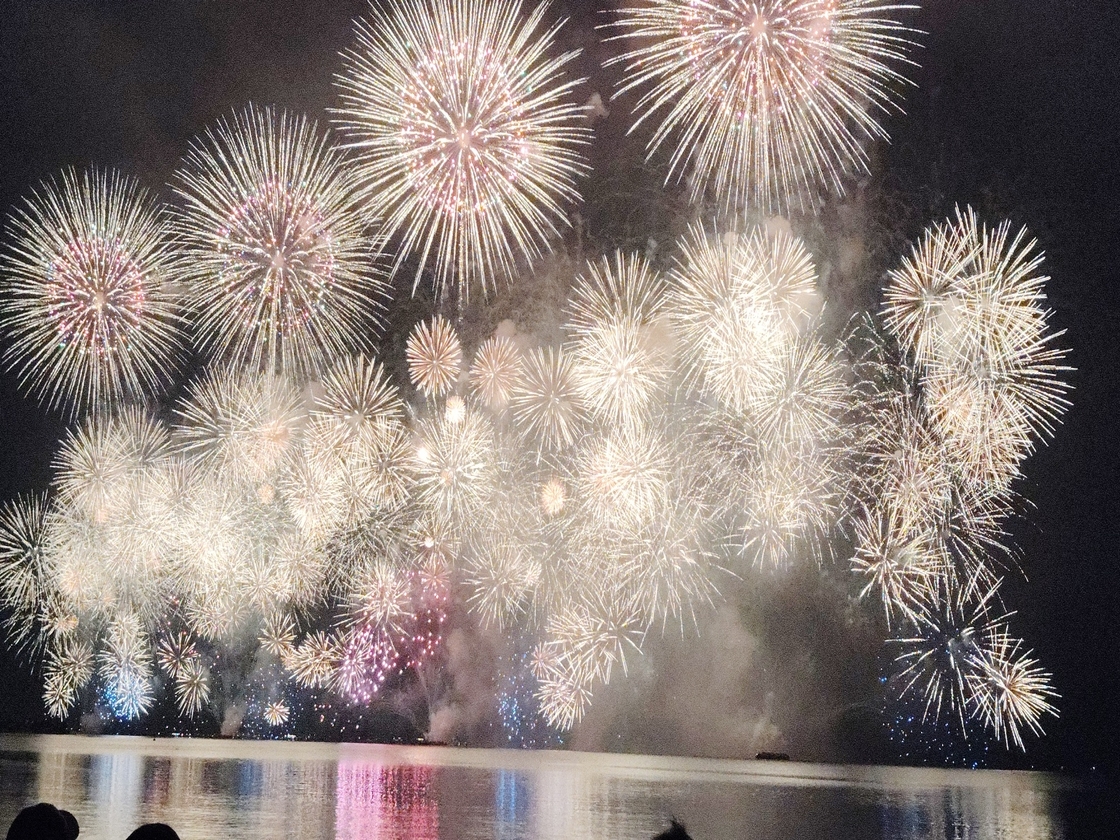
277,256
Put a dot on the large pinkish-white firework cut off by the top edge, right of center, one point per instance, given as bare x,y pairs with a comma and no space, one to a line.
766,102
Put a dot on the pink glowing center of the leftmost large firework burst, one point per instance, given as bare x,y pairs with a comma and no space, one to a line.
96,296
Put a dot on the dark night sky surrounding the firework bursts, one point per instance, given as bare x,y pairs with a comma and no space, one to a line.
1016,113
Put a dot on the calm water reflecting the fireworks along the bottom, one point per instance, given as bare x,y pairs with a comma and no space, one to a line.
208,789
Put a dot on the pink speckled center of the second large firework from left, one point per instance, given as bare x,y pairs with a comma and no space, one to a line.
279,251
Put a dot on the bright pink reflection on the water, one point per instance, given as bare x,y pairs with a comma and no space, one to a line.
379,801
